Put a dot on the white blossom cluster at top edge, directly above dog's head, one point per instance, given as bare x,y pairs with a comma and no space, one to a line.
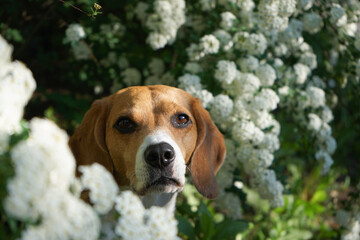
164,23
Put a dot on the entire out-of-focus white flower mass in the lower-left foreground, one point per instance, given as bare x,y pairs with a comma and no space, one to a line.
41,189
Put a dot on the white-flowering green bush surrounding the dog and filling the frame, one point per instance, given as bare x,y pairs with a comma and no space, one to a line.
279,78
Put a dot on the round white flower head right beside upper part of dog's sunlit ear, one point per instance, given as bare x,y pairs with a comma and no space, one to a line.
221,108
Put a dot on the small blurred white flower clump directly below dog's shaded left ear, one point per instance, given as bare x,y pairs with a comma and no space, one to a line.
102,186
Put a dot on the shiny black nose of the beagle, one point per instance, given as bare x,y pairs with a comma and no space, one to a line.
159,155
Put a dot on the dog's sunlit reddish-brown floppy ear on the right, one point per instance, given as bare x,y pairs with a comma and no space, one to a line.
209,152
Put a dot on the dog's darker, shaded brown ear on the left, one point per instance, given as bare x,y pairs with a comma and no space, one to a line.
88,142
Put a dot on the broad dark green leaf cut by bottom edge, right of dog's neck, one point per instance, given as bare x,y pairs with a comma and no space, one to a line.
228,229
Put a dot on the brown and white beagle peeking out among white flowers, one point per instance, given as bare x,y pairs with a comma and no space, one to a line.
147,136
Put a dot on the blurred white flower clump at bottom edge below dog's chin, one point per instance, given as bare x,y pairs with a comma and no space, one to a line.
136,222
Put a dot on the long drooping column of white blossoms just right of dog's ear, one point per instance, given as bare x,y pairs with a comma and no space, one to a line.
248,120
